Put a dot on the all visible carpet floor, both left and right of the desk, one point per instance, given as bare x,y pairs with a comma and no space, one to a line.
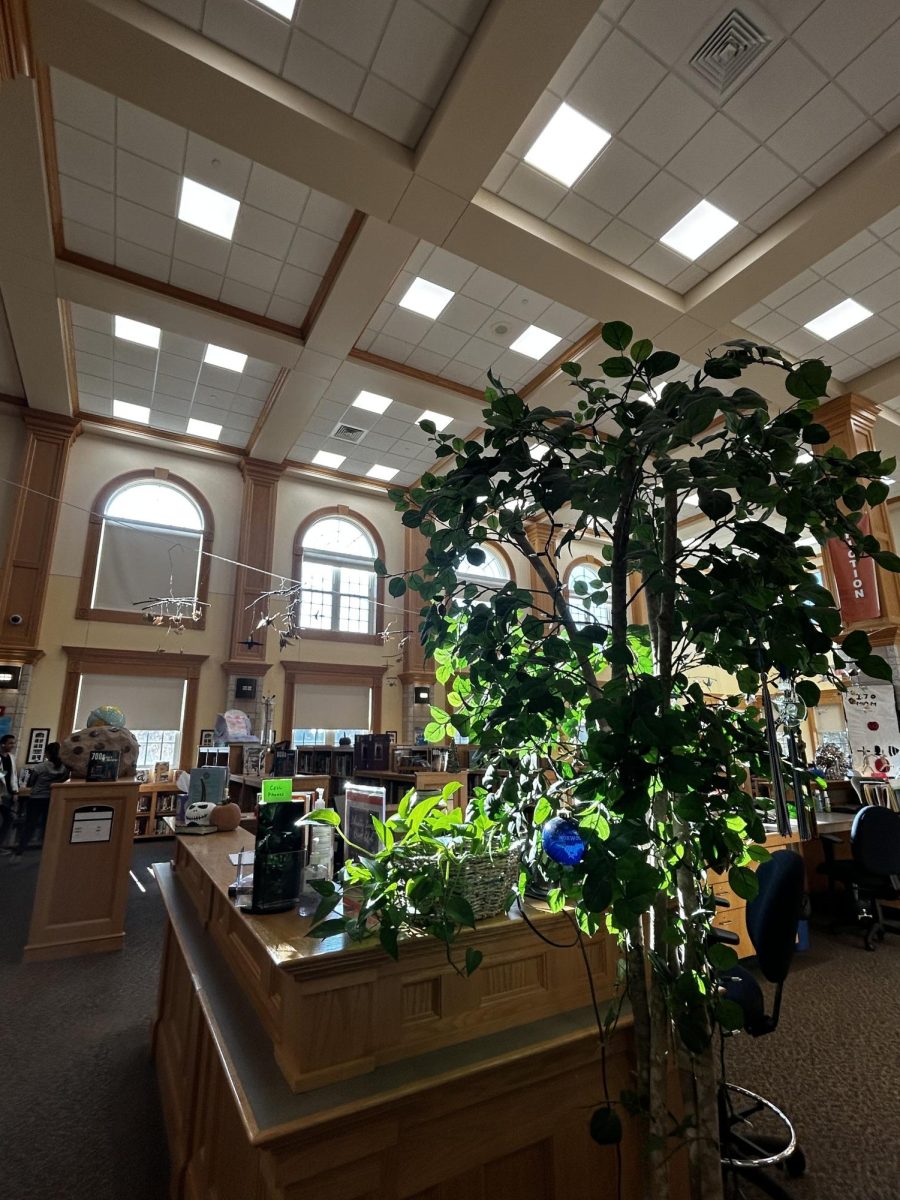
81,1118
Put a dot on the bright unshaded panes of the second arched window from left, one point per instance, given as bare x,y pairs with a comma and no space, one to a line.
338,557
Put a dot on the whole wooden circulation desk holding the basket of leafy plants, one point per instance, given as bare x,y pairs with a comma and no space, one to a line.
291,1067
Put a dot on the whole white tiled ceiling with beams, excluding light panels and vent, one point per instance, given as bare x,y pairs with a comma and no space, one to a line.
417,115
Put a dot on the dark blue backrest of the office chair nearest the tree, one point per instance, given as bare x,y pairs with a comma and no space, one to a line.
773,916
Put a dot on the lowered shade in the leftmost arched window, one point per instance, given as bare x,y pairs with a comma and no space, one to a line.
137,563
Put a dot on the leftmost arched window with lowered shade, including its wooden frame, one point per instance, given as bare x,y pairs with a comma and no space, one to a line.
149,537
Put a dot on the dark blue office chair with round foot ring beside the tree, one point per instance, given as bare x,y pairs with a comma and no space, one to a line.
772,921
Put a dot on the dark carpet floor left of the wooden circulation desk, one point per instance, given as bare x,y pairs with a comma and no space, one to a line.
80,1112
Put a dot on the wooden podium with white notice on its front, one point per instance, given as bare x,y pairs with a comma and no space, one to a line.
82,887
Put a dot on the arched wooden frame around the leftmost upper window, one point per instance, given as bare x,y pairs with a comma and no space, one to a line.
91,566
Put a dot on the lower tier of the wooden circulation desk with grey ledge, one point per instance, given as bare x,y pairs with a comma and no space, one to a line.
493,1119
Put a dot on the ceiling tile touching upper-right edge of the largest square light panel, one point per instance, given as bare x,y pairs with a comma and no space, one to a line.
616,82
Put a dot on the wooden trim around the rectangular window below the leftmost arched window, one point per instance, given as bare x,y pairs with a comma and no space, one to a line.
147,664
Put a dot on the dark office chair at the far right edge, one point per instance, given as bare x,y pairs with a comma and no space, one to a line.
873,874
